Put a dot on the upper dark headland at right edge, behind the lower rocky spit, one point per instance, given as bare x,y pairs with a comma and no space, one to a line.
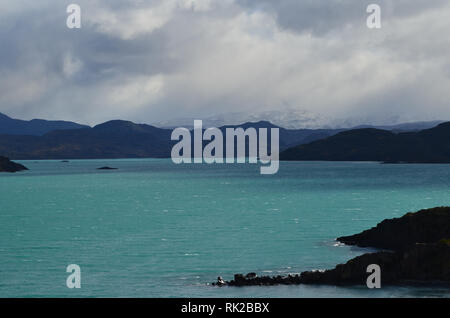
425,226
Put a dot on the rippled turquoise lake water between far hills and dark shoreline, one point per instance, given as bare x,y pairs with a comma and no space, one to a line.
154,229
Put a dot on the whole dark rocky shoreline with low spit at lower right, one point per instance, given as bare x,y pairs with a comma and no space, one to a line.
419,254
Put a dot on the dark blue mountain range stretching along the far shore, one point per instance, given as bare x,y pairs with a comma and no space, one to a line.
41,139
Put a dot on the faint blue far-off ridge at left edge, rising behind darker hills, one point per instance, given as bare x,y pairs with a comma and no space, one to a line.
35,127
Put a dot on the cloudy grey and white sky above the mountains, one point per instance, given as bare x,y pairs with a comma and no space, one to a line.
149,61
